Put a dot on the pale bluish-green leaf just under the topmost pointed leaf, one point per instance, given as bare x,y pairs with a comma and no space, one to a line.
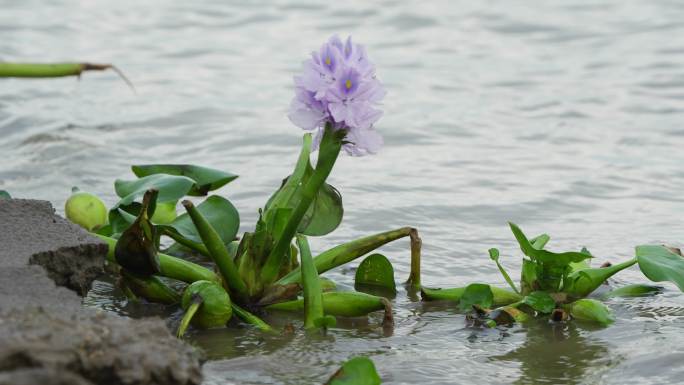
171,188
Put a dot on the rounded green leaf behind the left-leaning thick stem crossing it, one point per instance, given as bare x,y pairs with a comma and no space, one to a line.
218,211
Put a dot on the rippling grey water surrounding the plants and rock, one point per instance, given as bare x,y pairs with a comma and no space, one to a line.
565,117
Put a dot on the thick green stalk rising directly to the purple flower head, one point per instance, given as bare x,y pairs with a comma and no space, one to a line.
331,143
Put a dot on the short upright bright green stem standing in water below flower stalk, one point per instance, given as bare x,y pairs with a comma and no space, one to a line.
313,302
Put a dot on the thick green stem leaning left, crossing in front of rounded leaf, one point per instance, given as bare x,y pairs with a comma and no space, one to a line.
218,252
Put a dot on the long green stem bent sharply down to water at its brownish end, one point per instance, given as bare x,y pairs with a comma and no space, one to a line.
347,252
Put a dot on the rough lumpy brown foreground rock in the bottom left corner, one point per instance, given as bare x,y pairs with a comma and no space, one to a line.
99,347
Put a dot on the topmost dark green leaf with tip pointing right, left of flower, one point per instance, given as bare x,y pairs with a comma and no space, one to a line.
205,179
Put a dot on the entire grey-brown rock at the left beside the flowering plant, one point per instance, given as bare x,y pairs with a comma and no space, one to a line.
47,337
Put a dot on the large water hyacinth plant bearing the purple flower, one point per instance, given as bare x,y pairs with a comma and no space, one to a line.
270,268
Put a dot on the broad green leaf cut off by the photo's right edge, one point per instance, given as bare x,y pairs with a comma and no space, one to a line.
658,263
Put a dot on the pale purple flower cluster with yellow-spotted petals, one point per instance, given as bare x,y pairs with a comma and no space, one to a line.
338,86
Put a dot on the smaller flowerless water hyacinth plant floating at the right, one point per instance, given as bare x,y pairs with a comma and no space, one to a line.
556,285
